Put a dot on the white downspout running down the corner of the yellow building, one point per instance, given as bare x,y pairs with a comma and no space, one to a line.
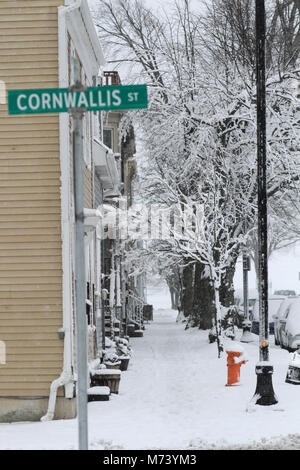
66,378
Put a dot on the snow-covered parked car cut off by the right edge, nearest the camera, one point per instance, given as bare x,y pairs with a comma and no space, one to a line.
290,334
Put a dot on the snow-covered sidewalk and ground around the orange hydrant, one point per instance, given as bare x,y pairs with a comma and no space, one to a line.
173,396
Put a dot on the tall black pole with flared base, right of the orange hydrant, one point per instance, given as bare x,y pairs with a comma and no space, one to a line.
264,393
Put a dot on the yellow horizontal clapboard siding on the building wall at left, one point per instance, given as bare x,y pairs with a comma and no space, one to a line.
30,206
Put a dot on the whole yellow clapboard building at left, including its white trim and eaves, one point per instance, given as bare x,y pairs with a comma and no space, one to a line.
38,41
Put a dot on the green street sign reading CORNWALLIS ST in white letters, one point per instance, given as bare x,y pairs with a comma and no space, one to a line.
61,100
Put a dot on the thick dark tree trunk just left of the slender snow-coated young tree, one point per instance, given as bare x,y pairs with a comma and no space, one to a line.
204,307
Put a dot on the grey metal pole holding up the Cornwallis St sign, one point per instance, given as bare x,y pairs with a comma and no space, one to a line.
80,281
